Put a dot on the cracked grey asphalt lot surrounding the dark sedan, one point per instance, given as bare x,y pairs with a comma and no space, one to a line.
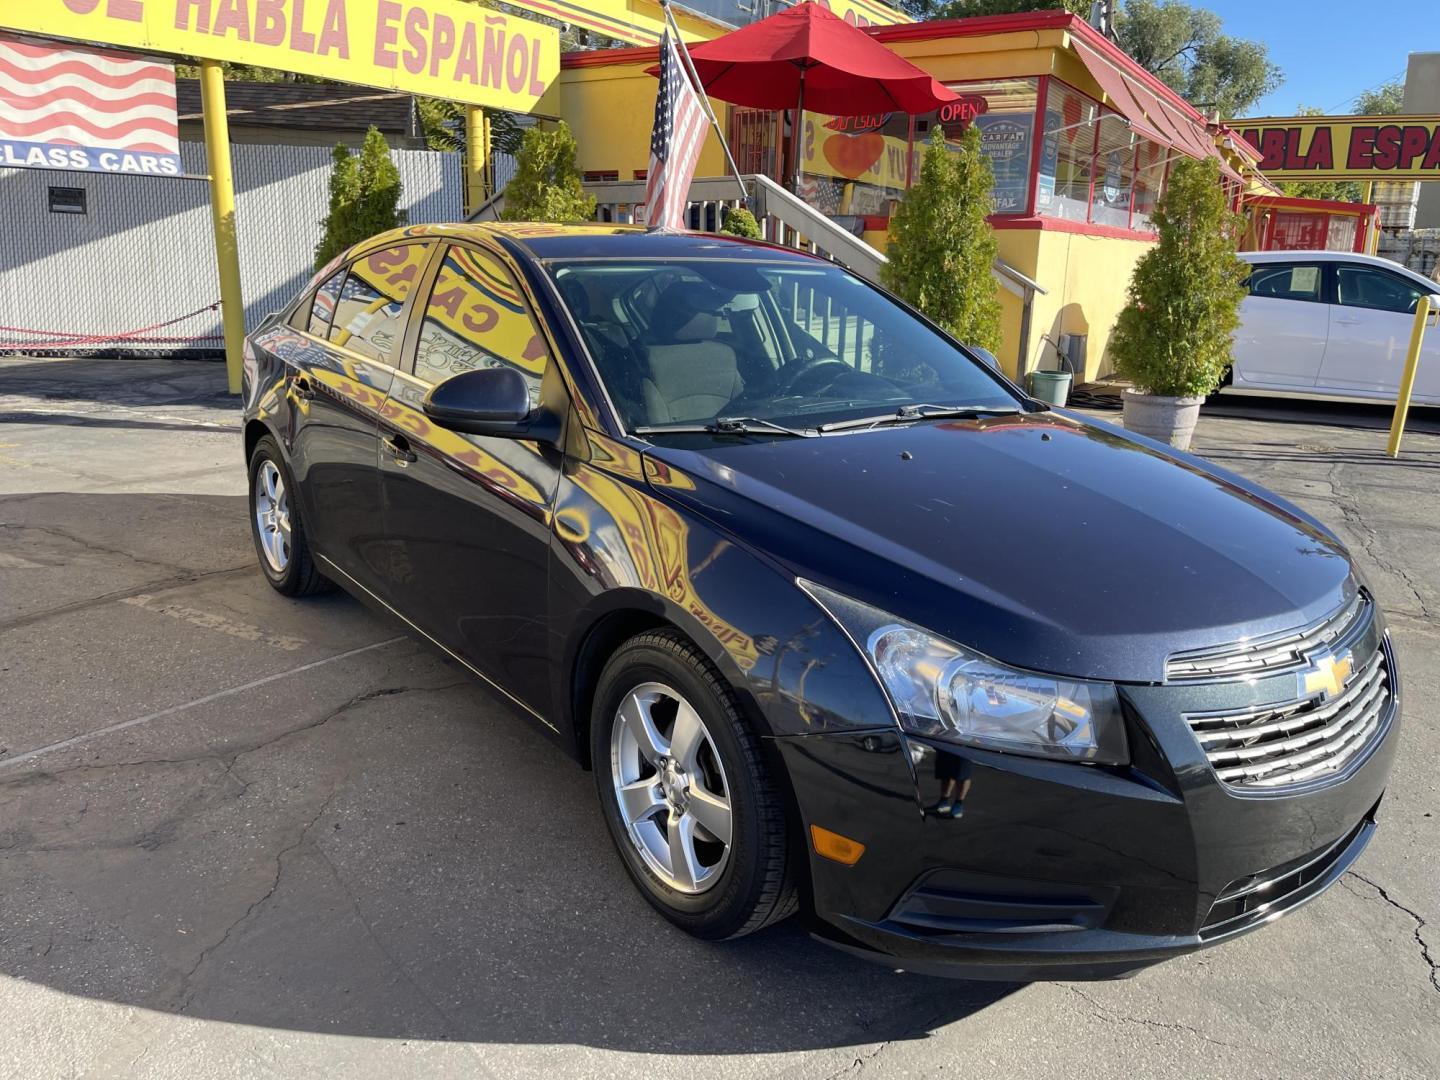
250,837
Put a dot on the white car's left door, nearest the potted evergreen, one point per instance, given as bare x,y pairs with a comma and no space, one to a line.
1284,326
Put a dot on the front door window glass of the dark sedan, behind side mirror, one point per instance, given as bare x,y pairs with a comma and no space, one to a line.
476,318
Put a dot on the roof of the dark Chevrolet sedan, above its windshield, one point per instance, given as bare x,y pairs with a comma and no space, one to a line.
546,241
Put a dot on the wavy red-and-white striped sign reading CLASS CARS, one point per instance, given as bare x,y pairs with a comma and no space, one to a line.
91,110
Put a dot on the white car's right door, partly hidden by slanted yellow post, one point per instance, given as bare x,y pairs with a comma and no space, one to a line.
1372,322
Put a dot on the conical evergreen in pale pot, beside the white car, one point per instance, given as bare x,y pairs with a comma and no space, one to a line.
1173,339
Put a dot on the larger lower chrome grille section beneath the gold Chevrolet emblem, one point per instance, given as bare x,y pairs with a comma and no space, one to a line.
1284,745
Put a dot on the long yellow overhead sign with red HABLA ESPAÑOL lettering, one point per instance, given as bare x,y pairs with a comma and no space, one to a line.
437,48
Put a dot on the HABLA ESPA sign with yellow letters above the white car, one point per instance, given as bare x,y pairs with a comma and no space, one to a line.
1346,148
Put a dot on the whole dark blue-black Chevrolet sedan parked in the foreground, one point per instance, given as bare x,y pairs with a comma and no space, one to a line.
842,620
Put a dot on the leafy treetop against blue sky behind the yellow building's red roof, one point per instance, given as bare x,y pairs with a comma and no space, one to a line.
1186,48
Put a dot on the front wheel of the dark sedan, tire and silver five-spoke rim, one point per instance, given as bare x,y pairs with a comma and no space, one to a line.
686,794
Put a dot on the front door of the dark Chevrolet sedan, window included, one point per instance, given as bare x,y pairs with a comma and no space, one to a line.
469,516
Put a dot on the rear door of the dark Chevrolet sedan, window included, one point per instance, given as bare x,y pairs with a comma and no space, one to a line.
356,325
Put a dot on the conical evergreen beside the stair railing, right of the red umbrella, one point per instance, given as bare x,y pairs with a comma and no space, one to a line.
941,246
